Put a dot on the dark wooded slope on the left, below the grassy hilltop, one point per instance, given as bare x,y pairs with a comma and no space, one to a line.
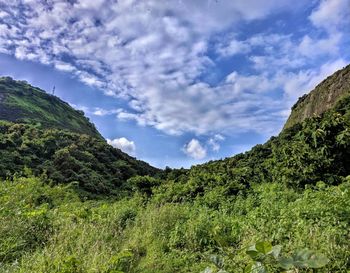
65,157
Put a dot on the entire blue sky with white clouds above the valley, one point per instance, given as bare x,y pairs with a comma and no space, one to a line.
177,82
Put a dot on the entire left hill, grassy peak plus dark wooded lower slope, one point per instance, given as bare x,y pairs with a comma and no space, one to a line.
41,132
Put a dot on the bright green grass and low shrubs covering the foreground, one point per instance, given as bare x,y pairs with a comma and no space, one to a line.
51,230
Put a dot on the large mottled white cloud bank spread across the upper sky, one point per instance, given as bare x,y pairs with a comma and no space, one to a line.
153,54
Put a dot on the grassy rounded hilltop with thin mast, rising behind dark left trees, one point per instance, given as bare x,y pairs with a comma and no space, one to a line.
22,103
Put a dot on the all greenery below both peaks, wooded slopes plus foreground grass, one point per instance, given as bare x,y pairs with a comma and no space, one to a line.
264,207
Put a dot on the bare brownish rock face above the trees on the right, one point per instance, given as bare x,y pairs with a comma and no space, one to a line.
322,98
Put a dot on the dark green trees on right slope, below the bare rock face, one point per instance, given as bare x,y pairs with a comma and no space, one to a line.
316,150
